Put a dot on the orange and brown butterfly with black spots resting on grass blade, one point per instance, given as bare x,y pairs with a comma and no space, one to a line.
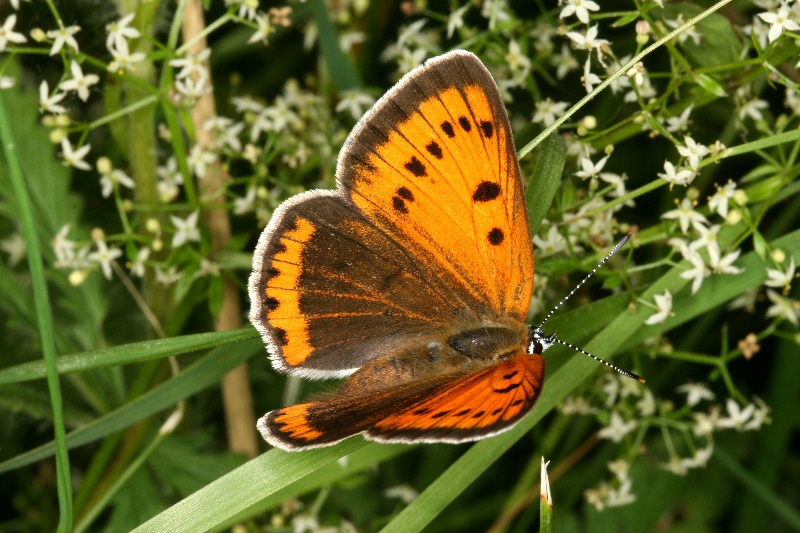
413,278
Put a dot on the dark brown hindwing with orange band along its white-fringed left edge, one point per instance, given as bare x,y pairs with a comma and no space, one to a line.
333,291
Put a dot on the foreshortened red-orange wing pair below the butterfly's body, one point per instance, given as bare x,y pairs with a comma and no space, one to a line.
453,407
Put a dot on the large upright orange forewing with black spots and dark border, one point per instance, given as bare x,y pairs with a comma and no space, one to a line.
434,163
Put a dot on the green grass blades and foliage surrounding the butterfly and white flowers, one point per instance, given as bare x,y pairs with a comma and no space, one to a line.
116,389
